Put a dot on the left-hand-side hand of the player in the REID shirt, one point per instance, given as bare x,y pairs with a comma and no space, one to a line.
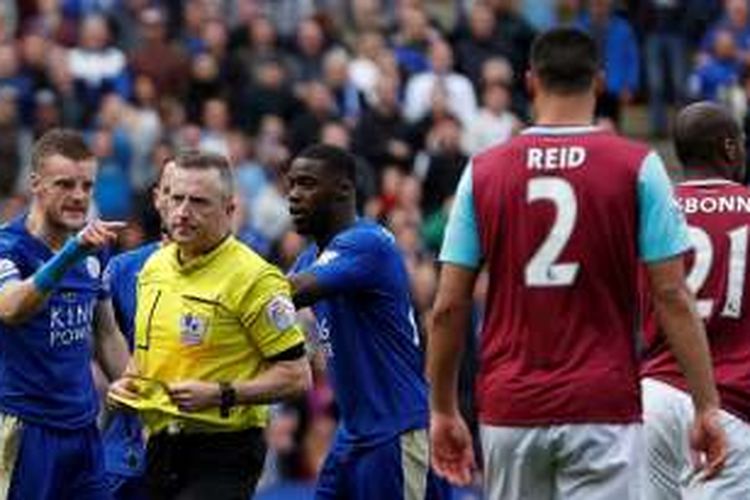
452,451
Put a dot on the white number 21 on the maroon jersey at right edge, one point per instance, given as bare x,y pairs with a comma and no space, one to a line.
704,257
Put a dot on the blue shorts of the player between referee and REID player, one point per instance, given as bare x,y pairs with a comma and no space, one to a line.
398,469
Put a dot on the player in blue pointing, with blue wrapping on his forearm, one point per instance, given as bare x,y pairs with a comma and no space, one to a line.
54,317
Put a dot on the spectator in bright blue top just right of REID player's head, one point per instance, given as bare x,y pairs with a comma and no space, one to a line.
619,53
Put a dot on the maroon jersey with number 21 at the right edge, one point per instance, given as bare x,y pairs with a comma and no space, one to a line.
718,215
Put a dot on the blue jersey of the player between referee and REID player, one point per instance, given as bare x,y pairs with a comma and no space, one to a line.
366,328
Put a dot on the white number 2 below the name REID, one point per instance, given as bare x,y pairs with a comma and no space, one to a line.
542,269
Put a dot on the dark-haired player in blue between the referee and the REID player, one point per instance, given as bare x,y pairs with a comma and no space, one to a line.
355,279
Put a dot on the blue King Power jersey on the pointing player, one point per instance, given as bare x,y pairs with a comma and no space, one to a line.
45,372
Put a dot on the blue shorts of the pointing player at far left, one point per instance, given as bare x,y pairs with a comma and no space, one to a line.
44,463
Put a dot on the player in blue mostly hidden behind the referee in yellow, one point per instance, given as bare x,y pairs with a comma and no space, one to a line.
124,448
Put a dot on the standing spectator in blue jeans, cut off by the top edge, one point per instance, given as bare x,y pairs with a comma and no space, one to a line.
665,47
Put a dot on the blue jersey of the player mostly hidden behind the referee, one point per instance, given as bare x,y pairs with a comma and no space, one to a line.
124,449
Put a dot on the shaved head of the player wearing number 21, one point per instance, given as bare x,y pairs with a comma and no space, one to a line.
708,138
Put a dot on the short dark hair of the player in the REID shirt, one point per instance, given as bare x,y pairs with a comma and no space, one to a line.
566,60
